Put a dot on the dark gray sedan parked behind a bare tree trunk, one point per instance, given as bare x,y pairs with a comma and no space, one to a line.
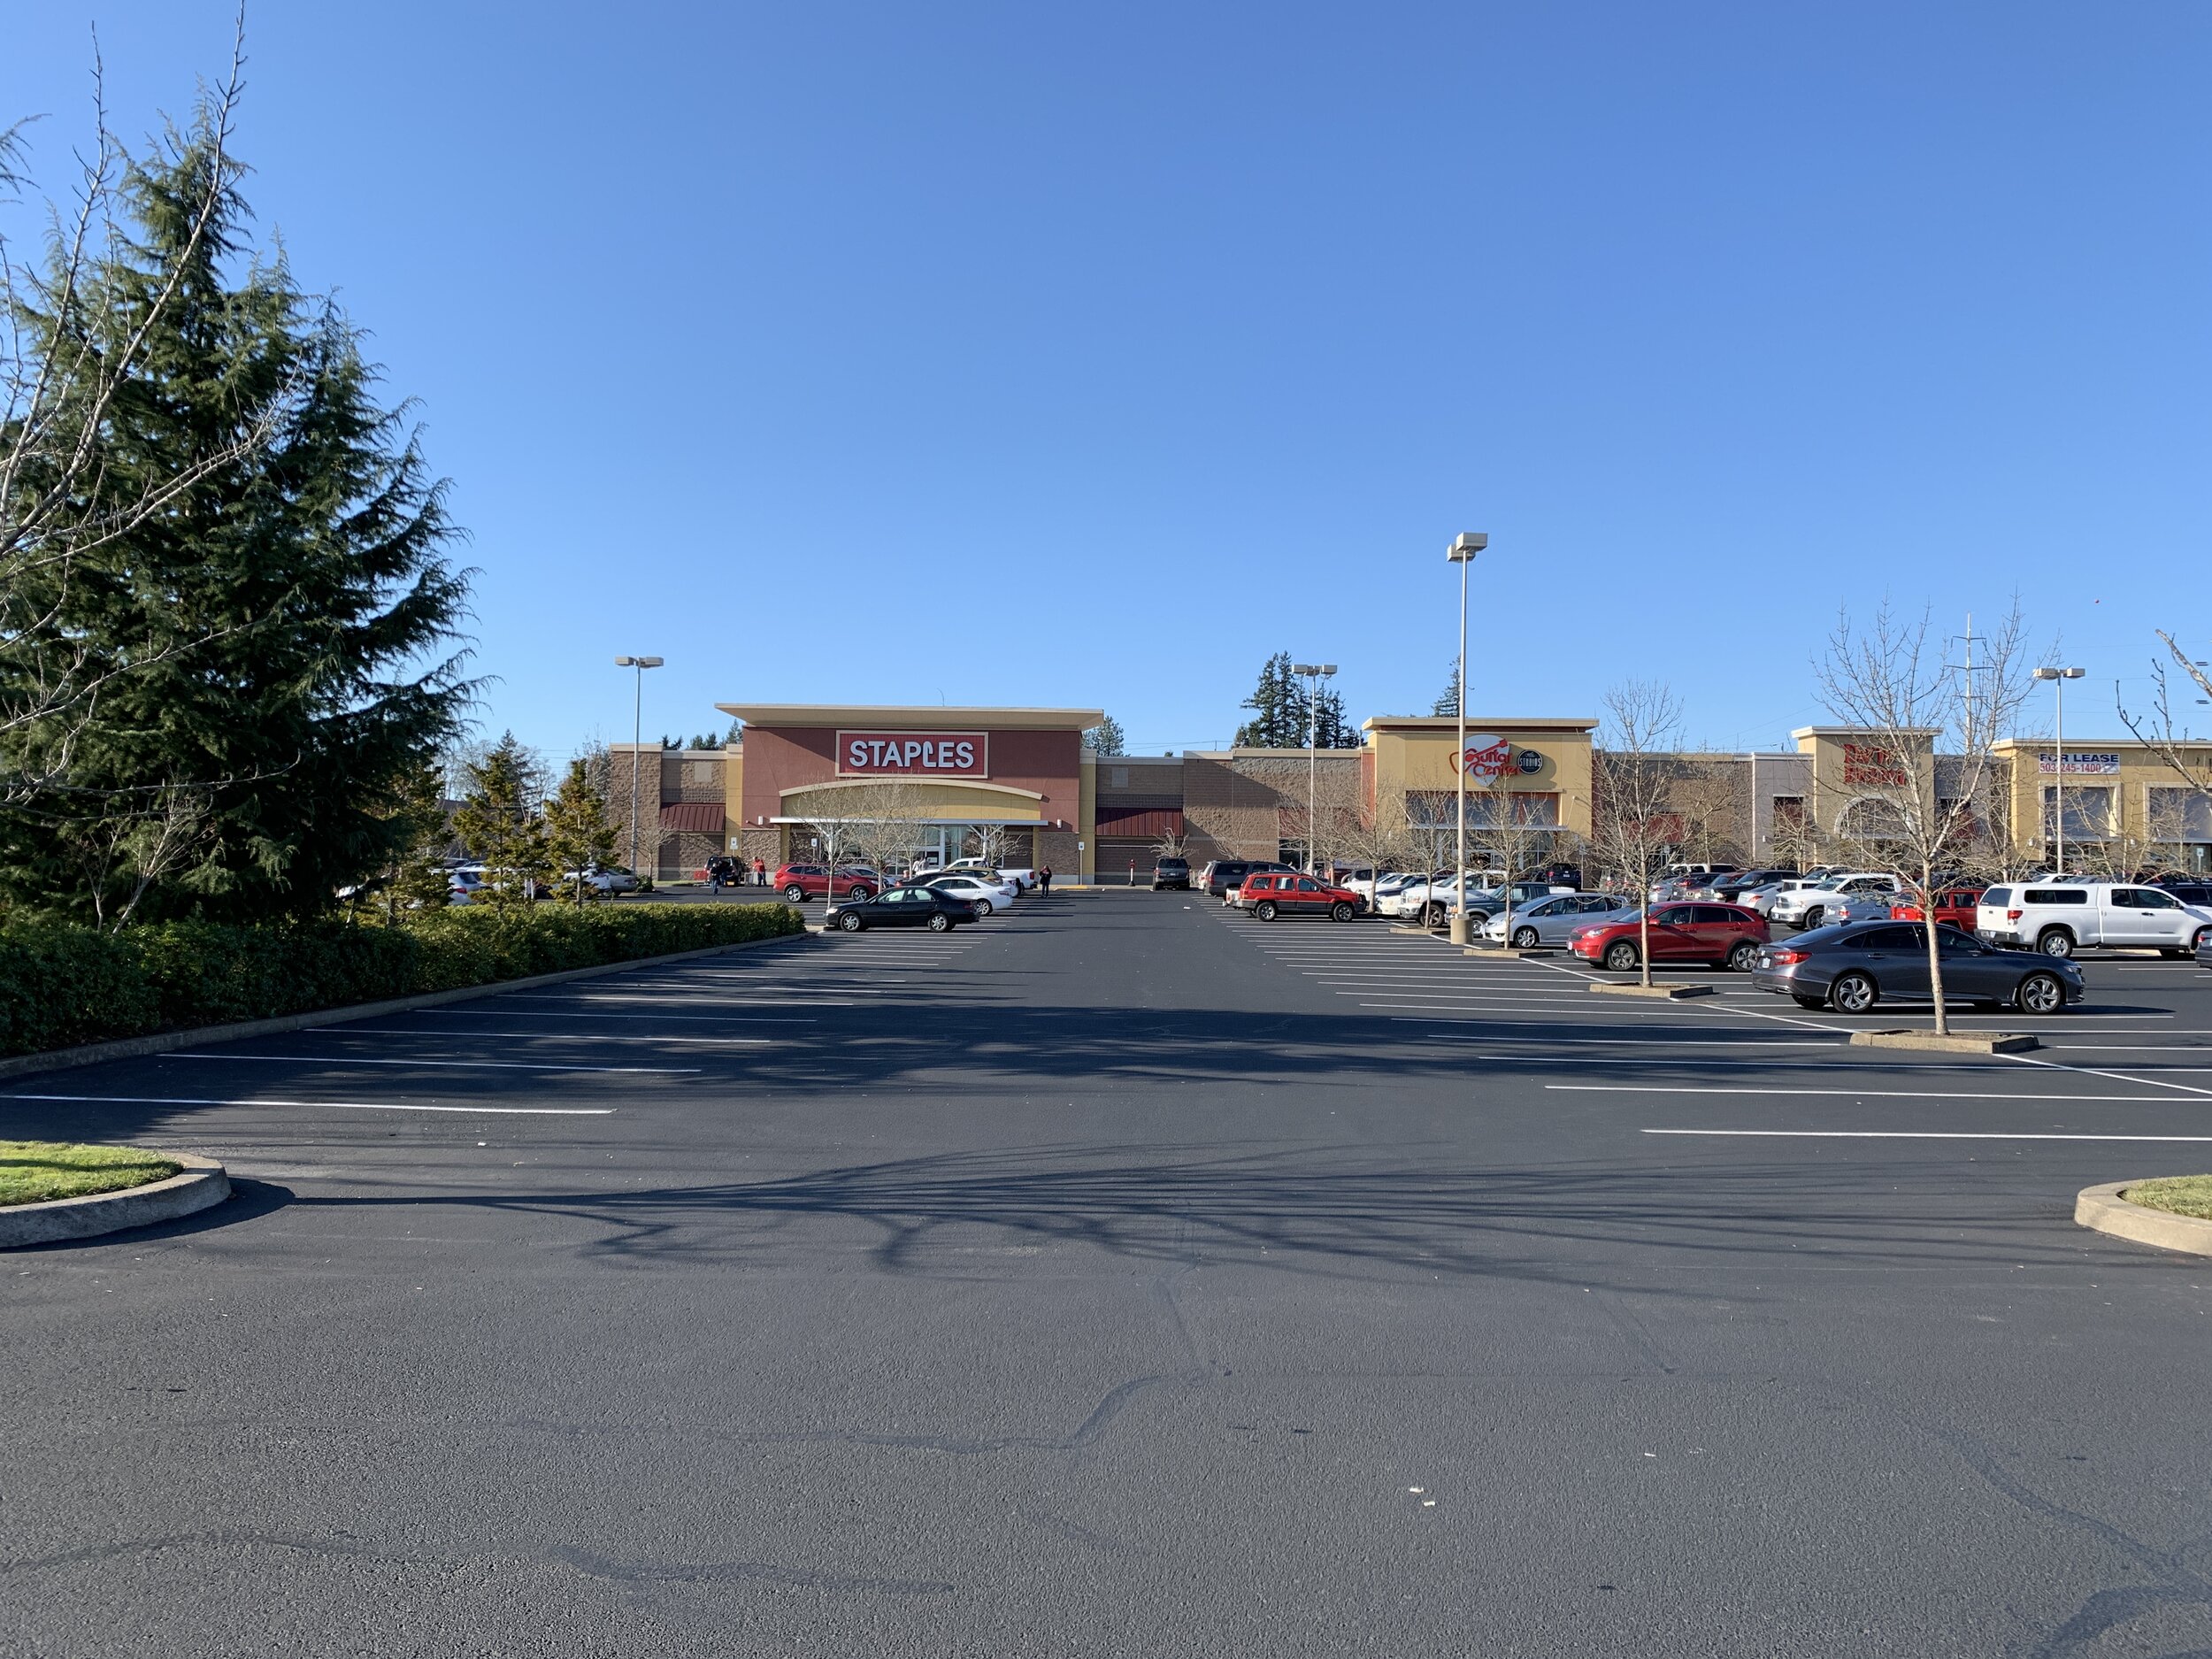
1855,966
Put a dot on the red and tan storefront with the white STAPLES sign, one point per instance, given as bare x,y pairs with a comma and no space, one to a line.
961,778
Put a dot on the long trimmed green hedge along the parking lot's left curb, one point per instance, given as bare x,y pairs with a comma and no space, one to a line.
67,985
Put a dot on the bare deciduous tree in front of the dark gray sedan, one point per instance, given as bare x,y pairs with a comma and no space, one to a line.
1892,682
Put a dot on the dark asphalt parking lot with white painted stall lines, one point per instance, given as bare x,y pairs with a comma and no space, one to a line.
1125,1277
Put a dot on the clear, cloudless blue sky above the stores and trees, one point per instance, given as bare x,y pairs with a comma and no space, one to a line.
1050,355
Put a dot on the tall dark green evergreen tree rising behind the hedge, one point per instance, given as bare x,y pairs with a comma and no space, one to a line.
278,640
